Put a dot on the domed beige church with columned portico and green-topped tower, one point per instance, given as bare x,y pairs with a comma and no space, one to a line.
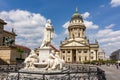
77,48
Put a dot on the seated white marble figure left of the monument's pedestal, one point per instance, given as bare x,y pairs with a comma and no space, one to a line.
30,60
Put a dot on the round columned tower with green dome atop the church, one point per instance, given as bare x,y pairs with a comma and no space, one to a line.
76,27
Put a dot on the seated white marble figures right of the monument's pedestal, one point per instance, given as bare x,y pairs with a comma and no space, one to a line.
54,61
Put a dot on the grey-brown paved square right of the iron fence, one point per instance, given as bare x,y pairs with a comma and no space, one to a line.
112,73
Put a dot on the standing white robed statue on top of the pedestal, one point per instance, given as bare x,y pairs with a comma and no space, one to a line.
48,34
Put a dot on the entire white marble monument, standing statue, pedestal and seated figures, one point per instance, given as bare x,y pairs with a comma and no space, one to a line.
47,58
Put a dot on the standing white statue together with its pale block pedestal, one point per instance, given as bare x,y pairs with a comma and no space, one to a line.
45,49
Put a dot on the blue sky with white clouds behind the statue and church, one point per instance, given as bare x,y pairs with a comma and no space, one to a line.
28,17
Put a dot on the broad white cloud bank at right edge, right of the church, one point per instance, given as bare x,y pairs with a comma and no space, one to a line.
109,39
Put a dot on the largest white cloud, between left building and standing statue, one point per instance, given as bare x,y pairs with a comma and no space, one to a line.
28,26
